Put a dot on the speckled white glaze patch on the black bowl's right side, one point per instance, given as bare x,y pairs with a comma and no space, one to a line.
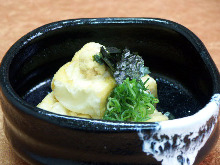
178,141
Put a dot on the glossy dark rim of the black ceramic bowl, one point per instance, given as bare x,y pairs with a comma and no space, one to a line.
95,124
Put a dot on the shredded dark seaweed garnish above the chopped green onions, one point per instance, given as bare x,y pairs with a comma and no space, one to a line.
122,64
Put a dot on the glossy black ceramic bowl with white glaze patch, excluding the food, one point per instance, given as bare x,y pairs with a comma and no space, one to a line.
188,87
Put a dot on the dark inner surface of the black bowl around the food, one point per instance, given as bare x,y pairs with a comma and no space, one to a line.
183,79
